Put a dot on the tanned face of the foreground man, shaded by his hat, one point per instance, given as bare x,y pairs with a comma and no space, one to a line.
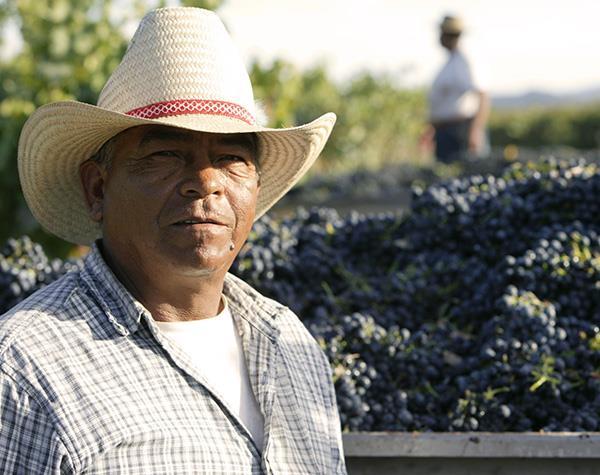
176,201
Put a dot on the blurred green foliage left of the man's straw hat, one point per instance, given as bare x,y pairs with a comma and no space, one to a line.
63,42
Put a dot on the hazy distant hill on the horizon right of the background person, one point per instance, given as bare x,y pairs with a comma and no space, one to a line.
545,99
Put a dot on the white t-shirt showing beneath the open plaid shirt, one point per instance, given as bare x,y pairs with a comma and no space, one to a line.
215,347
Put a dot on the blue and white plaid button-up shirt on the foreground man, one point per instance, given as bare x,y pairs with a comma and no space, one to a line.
88,384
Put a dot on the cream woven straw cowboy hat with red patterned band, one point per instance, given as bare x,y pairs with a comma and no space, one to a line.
180,69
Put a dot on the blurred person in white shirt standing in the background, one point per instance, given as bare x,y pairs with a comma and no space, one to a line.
459,108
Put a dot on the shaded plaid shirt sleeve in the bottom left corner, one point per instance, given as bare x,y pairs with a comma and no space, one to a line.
28,440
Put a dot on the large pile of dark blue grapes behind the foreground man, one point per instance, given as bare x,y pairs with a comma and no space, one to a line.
479,310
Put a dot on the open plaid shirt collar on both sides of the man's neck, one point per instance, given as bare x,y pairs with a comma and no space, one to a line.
125,312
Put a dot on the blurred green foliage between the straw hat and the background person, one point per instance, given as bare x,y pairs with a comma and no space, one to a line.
378,121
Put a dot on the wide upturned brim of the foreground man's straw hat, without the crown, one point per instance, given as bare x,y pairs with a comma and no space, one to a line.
58,137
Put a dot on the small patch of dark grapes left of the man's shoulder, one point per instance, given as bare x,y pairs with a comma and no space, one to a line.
24,268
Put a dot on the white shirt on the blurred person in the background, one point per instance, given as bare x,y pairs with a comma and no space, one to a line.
454,93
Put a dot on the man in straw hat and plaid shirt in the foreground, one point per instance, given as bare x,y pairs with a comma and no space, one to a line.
152,358
